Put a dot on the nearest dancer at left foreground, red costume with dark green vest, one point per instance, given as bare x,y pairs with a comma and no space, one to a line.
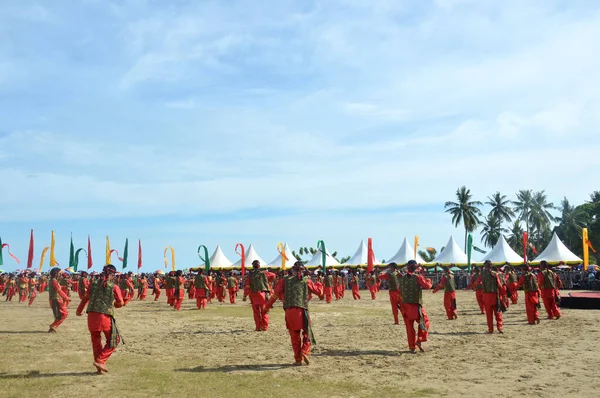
103,296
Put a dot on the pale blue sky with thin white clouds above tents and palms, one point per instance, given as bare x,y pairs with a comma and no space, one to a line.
215,122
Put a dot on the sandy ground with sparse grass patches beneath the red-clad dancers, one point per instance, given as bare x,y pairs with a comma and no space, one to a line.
359,352
